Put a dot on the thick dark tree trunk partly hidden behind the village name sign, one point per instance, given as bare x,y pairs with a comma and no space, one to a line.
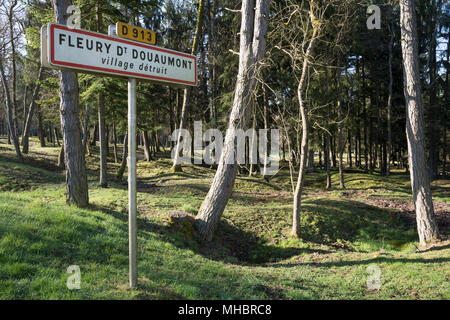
76,179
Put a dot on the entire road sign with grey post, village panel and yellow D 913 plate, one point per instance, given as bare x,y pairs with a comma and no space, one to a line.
86,51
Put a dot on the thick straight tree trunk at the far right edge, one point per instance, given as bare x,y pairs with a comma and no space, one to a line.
420,182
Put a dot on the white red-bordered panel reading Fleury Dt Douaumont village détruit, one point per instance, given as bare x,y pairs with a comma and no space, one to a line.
87,51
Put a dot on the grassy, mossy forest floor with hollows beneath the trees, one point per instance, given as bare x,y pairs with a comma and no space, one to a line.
252,256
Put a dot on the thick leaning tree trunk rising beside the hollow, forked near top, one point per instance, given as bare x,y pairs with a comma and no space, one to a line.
252,47
